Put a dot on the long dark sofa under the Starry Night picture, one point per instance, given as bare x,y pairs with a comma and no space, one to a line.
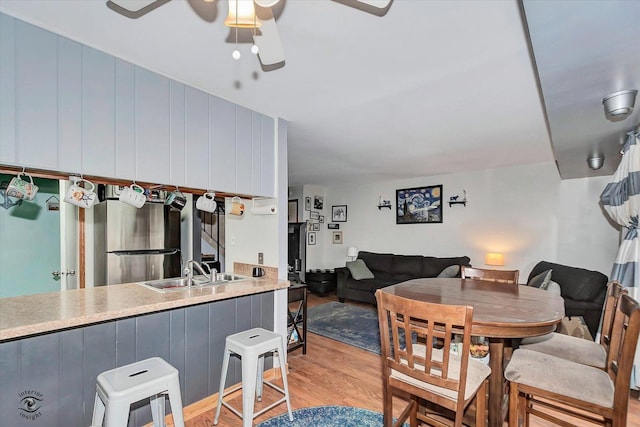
389,269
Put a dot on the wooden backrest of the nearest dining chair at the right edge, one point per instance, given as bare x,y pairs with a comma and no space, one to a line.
624,340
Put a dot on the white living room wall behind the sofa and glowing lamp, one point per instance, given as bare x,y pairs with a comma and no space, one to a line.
526,212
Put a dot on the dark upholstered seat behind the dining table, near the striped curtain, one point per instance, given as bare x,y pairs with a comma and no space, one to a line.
583,291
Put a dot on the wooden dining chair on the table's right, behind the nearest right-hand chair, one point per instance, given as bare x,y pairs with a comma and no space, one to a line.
580,350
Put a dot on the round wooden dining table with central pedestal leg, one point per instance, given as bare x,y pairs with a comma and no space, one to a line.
500,312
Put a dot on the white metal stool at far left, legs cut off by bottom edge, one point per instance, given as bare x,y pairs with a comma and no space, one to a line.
118,388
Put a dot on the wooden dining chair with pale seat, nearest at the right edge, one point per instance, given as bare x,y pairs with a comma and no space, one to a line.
539,382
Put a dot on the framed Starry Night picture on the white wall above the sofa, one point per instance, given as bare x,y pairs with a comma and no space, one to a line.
419,205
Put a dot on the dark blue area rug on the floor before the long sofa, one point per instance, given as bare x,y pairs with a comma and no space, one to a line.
353,325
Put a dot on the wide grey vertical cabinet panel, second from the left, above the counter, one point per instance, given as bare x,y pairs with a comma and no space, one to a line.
36,86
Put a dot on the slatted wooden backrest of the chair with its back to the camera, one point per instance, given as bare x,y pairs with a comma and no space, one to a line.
403,320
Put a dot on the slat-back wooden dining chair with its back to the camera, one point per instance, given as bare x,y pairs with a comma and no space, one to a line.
440,376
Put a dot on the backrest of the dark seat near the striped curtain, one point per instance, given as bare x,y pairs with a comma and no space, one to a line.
577,283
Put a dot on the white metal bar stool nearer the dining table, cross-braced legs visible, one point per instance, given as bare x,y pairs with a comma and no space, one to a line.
251,345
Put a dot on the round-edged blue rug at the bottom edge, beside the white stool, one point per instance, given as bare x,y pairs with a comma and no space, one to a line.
327,416
